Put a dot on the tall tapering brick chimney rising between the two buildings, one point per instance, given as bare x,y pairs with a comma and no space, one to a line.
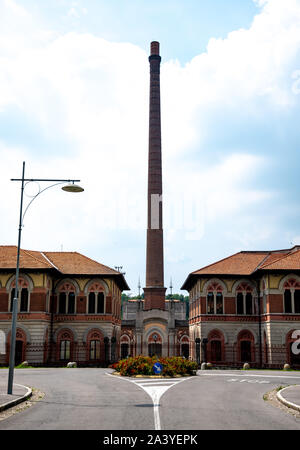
154,290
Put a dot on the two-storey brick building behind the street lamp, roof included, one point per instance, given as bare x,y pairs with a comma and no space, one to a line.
69,308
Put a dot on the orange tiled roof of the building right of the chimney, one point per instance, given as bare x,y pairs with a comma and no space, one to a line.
246,263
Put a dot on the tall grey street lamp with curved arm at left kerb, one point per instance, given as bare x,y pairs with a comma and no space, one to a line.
71,187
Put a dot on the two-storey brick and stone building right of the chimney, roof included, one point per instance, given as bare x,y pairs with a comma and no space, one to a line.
246,308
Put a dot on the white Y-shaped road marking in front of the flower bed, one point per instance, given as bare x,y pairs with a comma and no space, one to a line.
155,388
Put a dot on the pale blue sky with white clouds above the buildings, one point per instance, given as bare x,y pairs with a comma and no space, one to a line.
74,99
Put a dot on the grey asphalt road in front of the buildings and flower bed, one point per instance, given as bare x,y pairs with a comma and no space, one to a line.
90,399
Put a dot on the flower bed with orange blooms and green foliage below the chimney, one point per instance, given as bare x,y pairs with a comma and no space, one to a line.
143,365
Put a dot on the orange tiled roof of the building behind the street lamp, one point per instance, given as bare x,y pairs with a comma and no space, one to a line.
67,263
